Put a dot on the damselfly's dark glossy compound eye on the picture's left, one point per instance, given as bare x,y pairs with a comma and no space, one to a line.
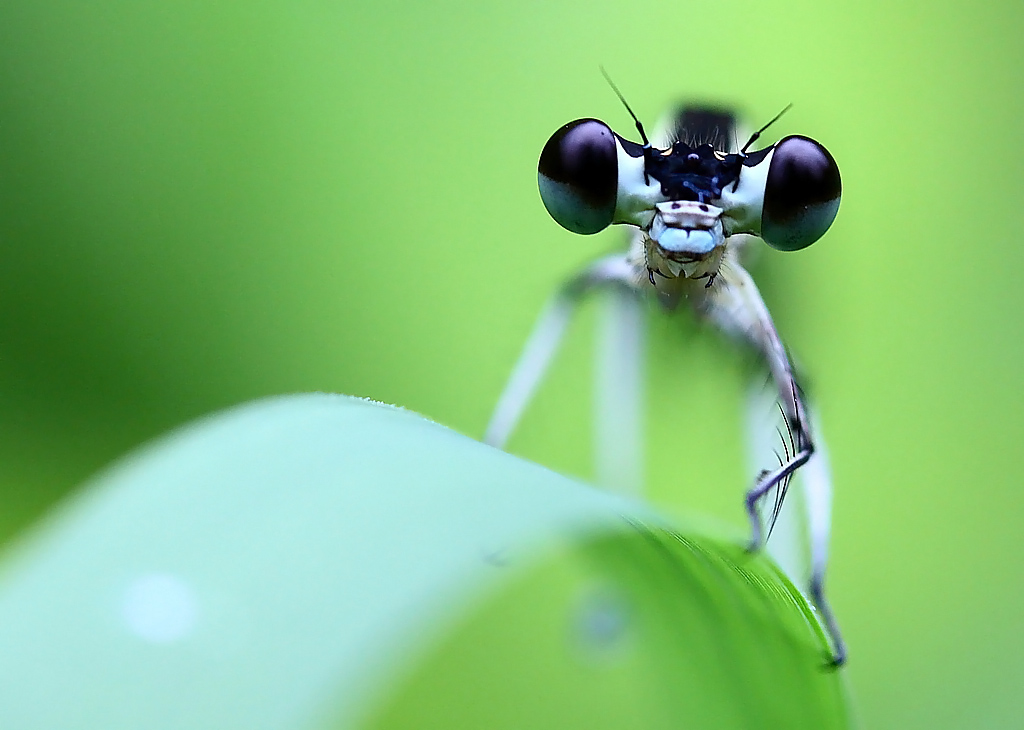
579,177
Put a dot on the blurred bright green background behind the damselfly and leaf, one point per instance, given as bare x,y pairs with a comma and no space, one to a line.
204,203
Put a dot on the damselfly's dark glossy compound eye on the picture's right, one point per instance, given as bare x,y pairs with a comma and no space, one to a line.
802,195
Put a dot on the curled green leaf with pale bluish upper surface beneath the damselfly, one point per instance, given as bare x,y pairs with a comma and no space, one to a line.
319,561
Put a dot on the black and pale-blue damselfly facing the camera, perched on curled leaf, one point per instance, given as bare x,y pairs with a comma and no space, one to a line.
694,202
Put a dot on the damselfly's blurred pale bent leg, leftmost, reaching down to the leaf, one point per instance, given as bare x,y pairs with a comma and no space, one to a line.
544,341
